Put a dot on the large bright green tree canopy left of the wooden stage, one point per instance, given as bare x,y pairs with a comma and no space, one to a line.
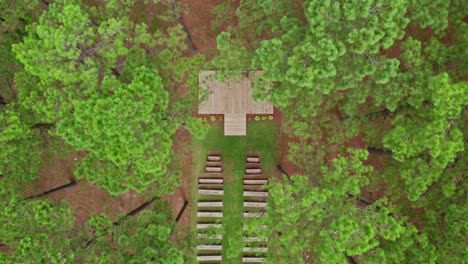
93,79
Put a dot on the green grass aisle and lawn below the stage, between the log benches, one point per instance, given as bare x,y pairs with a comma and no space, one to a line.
261,138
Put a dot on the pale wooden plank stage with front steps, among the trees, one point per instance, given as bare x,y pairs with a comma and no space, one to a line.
233,99
